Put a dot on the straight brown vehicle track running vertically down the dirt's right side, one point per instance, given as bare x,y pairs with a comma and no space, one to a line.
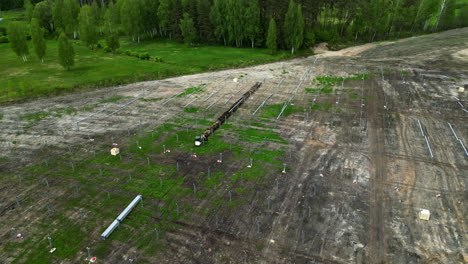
377,247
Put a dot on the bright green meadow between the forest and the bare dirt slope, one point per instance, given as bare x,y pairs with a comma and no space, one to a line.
98,69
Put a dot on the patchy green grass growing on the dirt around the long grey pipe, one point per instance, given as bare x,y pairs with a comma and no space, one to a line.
154,175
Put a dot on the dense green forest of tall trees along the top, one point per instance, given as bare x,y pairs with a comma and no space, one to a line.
285,24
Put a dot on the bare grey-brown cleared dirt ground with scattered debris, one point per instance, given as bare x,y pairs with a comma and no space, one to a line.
359,166
